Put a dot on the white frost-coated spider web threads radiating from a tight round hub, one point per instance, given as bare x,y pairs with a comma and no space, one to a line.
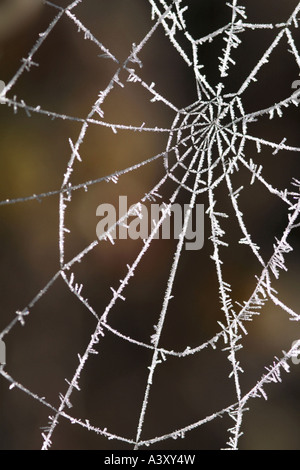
215,120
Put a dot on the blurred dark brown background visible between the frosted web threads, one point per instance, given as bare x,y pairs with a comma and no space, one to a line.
34,154
